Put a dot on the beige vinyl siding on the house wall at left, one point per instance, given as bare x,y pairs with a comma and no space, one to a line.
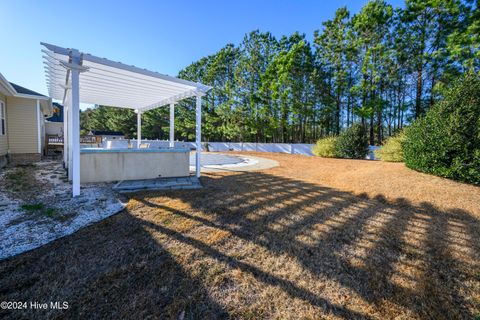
22,125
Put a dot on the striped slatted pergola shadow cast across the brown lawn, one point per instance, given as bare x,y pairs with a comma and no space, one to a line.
414,257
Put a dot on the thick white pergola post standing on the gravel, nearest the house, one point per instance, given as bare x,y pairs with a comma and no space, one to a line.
75,103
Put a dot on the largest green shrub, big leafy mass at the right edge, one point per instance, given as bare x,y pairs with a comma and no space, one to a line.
446,142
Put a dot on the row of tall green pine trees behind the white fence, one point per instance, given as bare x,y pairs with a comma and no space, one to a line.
382,67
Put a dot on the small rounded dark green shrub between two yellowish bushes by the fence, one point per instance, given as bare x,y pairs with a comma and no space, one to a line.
353,142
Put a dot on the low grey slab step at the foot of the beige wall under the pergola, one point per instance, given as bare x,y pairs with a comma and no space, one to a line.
158,184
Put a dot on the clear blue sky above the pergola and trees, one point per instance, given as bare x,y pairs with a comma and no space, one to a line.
162,36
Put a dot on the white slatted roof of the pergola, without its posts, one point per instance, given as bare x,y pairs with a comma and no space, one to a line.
113,83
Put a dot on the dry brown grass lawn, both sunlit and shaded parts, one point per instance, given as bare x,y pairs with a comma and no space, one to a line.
311,239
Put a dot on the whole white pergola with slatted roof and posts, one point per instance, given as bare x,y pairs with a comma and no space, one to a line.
75,77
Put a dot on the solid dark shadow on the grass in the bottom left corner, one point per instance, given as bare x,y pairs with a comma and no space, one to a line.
112,270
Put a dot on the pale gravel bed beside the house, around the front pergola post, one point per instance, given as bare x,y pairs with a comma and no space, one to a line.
24,229
